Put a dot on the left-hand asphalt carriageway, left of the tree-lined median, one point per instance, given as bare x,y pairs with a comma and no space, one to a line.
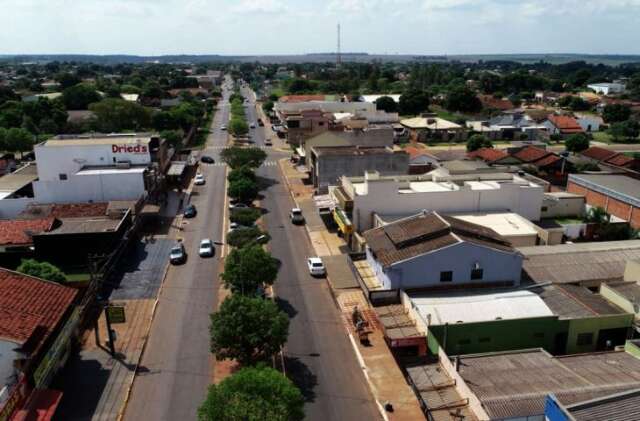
176,366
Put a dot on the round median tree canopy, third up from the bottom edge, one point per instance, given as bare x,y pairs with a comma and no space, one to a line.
248,268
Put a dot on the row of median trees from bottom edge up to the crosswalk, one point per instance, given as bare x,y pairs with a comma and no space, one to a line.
247,327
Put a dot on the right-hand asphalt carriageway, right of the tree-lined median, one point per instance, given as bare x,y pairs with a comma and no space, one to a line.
318,355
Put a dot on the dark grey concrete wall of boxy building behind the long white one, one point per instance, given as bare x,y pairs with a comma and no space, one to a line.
329,168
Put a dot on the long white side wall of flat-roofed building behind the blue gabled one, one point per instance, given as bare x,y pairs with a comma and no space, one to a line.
383,197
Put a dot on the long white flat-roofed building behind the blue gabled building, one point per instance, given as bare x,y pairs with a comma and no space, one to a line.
470,193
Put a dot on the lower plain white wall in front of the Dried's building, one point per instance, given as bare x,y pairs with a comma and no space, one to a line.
97,188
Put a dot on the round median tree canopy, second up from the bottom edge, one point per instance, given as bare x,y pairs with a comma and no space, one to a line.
248,329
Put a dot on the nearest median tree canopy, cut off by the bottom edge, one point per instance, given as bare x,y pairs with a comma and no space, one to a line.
253,394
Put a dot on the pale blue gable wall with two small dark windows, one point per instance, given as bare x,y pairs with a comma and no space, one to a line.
423,271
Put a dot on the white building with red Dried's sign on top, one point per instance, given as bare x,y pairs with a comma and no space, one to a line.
100,169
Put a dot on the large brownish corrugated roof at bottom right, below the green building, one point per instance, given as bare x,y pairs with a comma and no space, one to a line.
515,384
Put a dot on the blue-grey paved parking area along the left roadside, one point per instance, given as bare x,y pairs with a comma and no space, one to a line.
141,270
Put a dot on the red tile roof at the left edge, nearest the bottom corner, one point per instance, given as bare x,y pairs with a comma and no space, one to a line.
31,308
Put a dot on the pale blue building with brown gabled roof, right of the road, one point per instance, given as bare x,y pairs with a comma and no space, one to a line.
433,251
